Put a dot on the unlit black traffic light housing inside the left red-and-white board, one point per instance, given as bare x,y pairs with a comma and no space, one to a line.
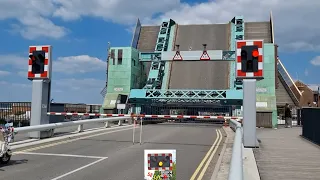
38,59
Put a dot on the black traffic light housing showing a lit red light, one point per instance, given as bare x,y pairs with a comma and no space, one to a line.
249,58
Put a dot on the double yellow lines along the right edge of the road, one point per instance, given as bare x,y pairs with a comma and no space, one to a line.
208,158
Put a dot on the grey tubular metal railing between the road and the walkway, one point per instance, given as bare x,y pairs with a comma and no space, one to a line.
236,165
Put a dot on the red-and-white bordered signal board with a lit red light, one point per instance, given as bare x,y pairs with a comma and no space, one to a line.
249,59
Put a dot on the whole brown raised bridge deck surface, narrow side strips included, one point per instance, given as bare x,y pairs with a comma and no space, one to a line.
201,75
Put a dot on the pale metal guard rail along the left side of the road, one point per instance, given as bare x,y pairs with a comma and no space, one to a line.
80,124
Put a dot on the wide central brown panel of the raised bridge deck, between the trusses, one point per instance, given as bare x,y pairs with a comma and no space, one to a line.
206,74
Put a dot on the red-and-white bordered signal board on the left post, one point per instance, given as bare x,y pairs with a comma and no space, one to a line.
39,66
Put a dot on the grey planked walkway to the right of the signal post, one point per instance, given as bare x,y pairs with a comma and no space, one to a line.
285,155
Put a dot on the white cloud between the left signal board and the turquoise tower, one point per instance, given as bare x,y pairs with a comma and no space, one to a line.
78,64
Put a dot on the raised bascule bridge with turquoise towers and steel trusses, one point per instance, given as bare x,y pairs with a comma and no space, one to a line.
177,69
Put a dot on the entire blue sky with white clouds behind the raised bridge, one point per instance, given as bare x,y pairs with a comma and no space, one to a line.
79,33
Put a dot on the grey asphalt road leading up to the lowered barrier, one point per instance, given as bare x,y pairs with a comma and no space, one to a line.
112,155
